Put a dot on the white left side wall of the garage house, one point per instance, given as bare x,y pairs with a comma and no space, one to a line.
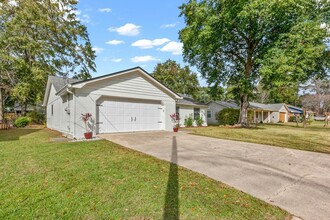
60,120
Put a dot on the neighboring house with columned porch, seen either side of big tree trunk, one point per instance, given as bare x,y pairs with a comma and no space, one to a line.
265,113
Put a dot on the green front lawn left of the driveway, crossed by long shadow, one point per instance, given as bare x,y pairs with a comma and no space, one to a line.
102,180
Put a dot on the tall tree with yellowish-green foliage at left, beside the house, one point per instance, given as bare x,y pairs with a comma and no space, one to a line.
40,38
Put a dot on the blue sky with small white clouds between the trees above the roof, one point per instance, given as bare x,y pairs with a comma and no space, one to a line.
129,33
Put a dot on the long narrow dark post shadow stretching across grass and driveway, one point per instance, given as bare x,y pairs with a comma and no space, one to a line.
171,206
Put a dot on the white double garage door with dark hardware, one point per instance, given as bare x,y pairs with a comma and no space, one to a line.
123,116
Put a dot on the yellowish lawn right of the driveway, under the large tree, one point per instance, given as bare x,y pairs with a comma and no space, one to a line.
314,137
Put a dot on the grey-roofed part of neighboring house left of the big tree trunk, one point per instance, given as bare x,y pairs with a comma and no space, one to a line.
217,106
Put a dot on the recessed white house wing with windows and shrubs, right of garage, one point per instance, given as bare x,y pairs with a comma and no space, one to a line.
187,107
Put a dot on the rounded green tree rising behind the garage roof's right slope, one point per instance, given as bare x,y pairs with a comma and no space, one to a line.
180,80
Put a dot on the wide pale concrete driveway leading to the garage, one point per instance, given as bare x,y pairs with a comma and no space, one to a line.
297,181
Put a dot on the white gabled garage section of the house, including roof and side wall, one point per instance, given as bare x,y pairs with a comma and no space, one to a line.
125,101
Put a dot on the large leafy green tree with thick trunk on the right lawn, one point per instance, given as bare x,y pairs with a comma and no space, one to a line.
243,43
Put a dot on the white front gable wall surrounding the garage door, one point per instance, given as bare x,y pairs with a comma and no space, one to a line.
131,86
